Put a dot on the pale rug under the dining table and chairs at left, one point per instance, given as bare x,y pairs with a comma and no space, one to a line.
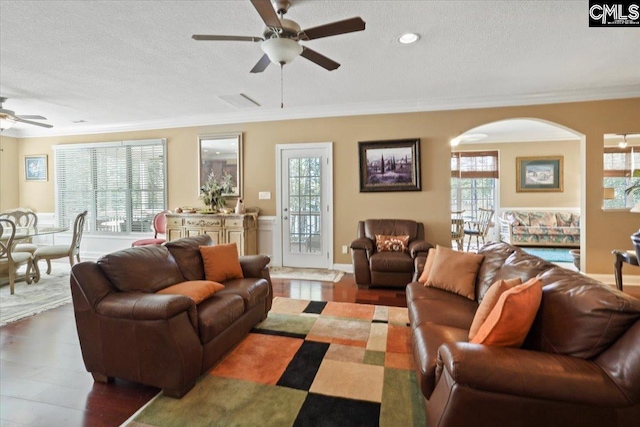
51,291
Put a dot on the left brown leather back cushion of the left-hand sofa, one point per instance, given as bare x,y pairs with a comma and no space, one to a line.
141,269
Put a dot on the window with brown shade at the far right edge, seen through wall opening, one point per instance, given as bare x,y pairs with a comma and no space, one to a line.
620,166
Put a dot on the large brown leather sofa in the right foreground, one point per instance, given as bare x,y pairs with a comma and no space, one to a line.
579,365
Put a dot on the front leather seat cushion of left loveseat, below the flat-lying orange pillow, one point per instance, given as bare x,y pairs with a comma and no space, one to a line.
217,313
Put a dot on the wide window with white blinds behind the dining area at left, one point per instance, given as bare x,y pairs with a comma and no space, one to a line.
121,184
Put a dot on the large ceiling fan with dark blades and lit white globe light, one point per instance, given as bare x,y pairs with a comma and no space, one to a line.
280,40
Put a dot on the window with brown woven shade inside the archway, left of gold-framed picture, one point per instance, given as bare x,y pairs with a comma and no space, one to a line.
473,181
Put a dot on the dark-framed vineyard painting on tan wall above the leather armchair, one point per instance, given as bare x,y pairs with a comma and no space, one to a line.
390,165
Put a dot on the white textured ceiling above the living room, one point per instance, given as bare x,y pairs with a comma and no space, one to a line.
121,65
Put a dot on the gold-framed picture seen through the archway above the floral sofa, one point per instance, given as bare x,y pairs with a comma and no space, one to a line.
539,174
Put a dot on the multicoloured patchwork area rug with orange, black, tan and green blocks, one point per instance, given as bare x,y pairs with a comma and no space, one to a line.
308,364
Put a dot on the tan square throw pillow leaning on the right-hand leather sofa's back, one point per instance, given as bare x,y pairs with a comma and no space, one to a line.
455,271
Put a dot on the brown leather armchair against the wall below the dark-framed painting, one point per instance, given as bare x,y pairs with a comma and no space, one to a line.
387,269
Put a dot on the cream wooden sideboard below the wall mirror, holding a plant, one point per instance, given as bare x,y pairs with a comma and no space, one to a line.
223,228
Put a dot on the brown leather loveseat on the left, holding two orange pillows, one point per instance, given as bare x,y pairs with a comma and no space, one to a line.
162,340
